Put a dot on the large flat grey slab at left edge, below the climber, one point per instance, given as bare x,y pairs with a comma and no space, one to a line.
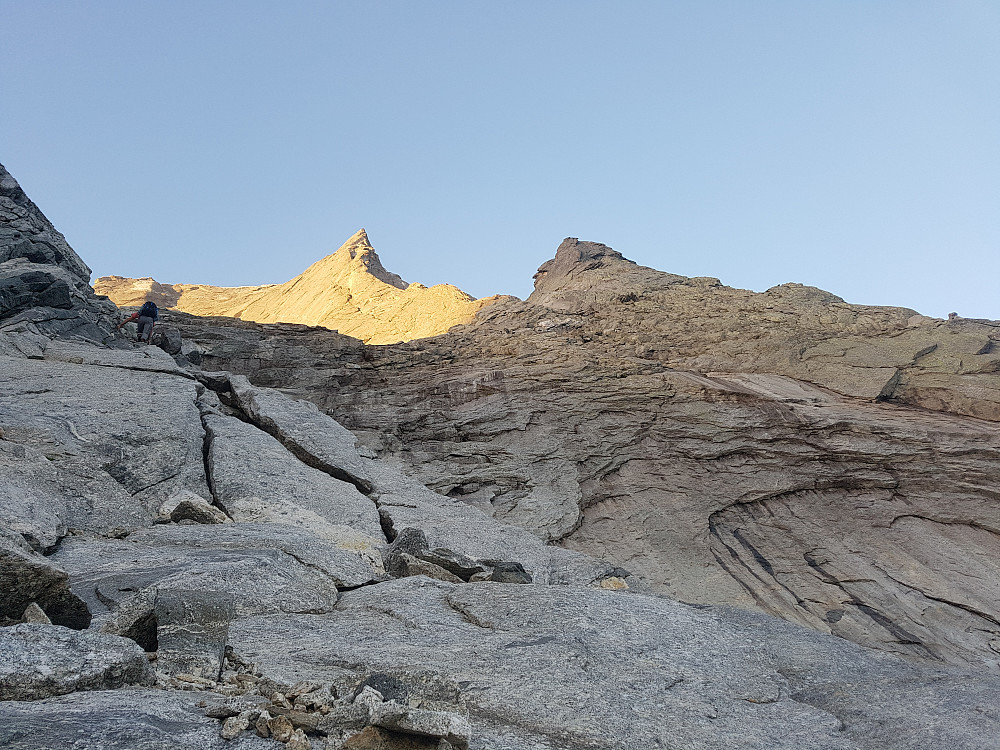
118,440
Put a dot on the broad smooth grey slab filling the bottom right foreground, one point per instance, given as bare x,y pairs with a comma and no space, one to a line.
611,670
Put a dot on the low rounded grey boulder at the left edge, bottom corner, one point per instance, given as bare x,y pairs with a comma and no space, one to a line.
39,661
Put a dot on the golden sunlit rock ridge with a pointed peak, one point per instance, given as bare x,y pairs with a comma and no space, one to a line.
348,291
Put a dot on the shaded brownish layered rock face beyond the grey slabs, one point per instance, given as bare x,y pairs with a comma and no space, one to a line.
736,448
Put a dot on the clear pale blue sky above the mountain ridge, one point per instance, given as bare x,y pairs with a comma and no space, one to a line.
854,146
